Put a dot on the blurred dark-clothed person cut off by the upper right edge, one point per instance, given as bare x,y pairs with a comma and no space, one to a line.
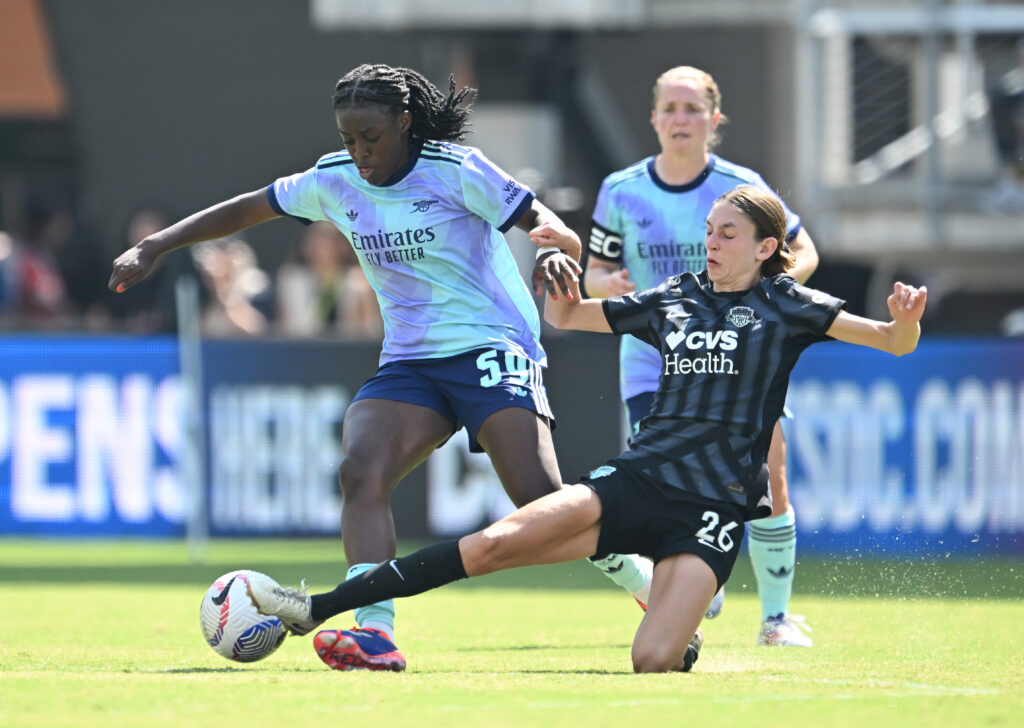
1008,120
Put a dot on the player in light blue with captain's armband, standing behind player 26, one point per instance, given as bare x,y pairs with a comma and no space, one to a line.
650,225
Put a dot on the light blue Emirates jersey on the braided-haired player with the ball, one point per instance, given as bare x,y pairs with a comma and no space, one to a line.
431,243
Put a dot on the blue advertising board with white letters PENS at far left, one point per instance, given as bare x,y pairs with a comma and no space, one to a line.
91,437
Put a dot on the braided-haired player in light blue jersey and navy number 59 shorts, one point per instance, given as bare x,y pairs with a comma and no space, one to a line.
425,217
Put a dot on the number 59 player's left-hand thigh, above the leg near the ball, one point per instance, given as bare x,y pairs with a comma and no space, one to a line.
383,440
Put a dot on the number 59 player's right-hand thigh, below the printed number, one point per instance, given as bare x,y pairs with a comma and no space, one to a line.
519,443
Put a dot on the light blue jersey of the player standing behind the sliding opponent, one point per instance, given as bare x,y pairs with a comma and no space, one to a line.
656,231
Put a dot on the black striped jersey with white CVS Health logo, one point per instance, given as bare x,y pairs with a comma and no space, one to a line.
727,360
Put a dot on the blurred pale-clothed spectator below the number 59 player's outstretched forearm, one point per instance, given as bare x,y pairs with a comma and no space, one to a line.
240,297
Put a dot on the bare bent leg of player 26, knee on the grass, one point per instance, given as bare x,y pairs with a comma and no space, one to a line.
680,593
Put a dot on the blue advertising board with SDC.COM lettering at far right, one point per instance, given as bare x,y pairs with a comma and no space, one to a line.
924,453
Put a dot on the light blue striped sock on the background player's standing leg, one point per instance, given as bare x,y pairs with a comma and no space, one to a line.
773,544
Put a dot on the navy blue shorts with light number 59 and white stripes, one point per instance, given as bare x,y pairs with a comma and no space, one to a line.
466,390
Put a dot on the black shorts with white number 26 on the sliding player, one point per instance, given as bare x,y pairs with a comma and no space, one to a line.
641,516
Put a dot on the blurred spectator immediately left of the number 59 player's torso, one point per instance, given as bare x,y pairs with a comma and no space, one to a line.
325,291
